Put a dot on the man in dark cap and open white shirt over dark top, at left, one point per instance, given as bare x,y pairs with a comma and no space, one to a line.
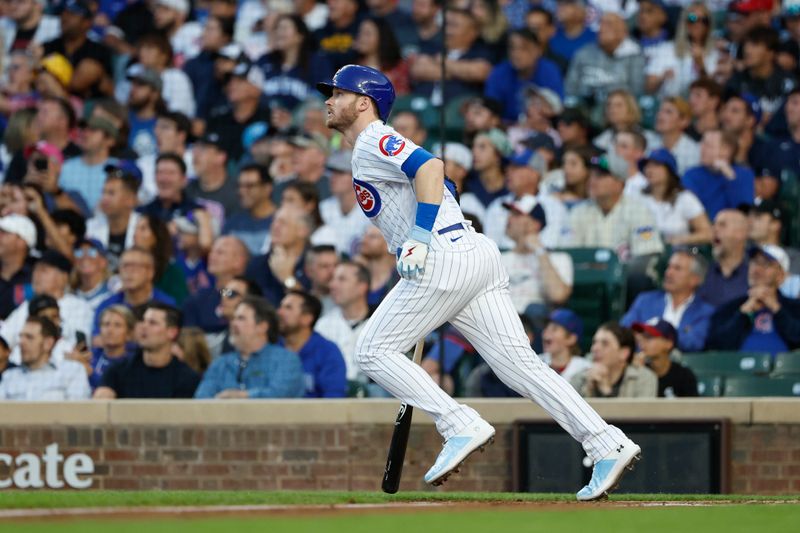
51,277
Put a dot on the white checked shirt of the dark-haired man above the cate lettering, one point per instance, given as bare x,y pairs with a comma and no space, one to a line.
66,380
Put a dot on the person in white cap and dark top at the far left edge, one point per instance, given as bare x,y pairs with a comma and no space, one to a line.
18,237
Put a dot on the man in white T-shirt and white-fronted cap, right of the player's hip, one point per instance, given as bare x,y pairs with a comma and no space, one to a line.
536,276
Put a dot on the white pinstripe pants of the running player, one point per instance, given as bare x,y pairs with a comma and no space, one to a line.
465,284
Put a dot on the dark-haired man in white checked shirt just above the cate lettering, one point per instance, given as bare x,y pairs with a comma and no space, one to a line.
38,378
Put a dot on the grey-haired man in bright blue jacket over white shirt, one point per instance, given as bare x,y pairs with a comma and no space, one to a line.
678,303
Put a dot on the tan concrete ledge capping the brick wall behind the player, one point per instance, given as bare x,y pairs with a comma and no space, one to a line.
371,411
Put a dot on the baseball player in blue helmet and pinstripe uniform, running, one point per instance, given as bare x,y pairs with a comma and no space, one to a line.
452,274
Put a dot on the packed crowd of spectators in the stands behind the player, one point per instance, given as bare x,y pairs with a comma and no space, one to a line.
177,221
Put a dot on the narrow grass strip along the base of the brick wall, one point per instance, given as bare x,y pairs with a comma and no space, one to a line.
64,499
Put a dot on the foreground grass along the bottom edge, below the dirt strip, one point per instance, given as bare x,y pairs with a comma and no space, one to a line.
718,519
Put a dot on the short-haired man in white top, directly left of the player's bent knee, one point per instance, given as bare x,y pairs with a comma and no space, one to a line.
344,322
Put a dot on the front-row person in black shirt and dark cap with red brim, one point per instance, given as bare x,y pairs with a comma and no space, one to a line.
656,339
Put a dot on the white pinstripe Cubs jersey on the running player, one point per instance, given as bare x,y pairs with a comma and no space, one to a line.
384,165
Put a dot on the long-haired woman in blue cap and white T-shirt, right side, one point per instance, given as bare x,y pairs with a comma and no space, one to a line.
679,215
